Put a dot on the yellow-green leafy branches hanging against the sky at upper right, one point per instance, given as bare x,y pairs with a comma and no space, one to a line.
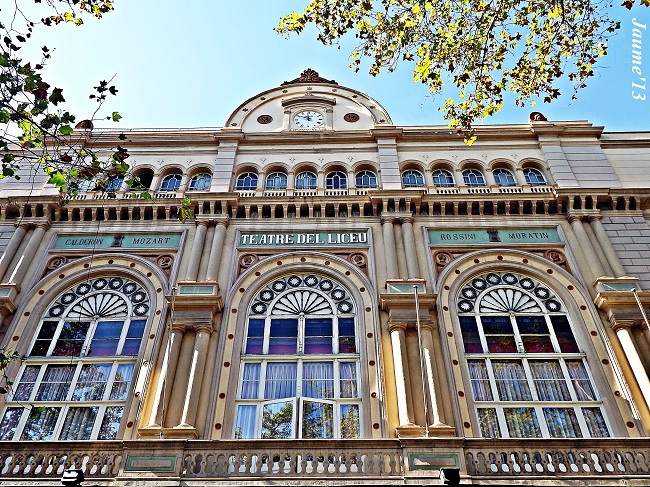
483,47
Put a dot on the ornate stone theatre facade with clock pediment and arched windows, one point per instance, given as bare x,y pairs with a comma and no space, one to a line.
351,302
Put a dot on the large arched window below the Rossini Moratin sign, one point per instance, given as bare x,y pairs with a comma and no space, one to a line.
529,377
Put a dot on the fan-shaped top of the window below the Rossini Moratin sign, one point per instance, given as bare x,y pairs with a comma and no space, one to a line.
511,293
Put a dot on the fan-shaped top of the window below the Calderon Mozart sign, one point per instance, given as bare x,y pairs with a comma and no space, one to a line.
101,298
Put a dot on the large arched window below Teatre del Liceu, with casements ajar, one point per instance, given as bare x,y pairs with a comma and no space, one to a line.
299,375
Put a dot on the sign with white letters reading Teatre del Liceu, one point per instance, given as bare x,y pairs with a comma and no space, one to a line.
277,239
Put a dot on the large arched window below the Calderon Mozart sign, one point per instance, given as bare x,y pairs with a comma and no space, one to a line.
76,377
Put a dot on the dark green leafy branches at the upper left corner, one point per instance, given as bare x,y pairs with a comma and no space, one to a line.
35,130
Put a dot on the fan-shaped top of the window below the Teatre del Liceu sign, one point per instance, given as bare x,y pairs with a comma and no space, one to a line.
302,294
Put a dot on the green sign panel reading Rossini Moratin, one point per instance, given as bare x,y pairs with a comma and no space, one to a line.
494,236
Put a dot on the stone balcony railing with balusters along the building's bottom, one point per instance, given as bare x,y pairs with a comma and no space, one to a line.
601,461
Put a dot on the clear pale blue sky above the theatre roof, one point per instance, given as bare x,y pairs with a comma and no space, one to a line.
189,64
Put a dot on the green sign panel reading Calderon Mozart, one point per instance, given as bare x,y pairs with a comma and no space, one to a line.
118,241
